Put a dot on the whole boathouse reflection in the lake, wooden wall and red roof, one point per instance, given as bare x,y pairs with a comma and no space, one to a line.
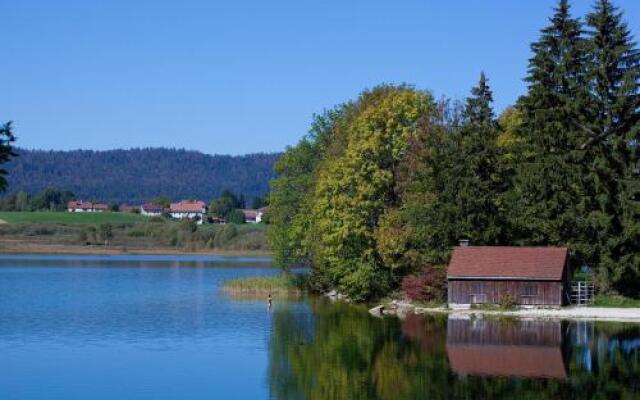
514,348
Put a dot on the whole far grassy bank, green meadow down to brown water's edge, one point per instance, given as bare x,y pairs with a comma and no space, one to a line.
121,232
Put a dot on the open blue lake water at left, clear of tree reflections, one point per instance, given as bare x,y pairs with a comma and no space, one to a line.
155,327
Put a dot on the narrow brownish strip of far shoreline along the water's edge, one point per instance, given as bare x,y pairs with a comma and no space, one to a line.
23,247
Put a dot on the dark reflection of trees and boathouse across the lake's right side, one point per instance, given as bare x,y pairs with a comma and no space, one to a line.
341,352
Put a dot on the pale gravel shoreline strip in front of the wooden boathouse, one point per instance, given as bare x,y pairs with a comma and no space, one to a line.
609,314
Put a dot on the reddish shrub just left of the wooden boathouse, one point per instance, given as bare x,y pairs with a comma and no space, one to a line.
428,285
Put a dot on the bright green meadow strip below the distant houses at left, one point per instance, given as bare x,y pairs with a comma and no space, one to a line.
69,218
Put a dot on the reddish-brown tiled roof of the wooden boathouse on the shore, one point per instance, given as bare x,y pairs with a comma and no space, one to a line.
508,262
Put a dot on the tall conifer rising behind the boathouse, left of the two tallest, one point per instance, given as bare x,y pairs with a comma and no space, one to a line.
547,203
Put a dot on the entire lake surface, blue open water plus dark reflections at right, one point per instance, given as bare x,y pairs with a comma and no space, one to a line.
160,327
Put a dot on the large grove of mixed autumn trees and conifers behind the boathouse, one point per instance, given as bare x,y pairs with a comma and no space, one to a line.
387,184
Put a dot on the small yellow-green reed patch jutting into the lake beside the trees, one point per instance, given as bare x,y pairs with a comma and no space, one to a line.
282,285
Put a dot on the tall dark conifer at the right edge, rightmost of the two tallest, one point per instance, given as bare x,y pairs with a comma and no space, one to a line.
612,146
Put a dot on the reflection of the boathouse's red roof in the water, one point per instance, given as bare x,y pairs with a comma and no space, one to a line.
521,361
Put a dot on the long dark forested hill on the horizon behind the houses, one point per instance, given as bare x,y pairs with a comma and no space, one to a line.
134,176
